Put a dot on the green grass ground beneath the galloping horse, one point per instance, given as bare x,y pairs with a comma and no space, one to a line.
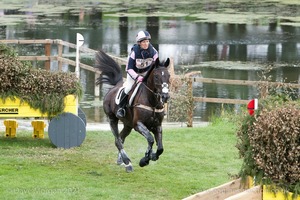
194,159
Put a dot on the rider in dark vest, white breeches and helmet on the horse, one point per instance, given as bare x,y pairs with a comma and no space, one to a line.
142,55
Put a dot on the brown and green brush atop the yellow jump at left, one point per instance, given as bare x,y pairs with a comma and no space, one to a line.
41,89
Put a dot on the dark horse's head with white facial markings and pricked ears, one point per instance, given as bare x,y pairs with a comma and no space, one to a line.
160,79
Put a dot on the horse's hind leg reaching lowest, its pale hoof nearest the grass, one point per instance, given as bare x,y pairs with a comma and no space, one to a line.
119,144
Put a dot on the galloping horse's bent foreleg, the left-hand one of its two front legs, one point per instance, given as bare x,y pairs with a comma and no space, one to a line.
142,129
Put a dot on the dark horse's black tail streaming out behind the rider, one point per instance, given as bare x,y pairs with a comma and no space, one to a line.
111,72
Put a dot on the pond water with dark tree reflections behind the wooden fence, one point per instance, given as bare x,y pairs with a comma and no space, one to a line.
219,50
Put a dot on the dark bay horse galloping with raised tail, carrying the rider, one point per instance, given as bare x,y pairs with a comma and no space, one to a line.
146,111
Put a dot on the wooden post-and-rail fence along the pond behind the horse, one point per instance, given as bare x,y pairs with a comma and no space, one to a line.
48,43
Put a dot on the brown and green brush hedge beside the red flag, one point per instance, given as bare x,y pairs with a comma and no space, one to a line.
269,141
